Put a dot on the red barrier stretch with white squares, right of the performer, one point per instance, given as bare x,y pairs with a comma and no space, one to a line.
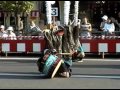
109,44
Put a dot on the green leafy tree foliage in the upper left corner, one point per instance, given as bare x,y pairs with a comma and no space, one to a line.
16,6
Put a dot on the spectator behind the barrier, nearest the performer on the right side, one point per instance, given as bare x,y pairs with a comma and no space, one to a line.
85,28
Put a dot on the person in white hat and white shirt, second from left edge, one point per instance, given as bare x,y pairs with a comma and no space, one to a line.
10,35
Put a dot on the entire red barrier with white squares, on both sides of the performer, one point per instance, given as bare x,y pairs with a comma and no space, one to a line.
94,44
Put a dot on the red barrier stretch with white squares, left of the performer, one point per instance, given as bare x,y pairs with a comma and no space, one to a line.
23,44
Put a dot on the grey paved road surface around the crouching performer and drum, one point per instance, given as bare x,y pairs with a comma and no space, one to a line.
89,74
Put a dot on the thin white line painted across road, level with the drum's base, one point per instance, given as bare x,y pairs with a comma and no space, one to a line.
73,76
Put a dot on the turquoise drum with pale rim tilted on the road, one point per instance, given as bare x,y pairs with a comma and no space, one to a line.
52,65
